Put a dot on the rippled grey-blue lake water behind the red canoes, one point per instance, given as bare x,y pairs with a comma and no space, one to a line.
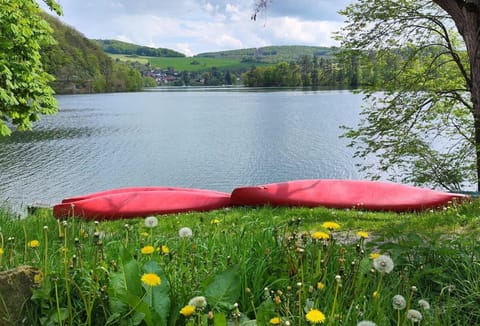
215,138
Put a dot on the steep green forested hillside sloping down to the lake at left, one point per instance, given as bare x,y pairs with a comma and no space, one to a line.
80,66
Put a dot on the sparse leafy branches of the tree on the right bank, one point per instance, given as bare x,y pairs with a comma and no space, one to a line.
419,121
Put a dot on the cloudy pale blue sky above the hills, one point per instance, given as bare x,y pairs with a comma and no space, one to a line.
197,26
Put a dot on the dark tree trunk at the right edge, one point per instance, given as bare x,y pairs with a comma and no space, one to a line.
466,15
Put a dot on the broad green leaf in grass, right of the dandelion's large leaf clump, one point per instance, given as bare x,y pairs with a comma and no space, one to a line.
224,288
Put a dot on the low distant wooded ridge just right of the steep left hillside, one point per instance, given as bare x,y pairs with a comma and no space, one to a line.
119,47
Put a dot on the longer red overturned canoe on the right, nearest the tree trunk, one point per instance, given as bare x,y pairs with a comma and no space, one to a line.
369,195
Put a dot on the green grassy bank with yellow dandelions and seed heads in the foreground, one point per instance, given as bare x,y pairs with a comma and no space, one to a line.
251,266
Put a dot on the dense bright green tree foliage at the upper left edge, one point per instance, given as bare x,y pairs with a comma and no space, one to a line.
25,93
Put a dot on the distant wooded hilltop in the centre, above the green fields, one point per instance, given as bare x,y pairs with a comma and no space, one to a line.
272,54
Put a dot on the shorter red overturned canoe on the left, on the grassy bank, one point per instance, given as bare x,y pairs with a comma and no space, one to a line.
130,204
